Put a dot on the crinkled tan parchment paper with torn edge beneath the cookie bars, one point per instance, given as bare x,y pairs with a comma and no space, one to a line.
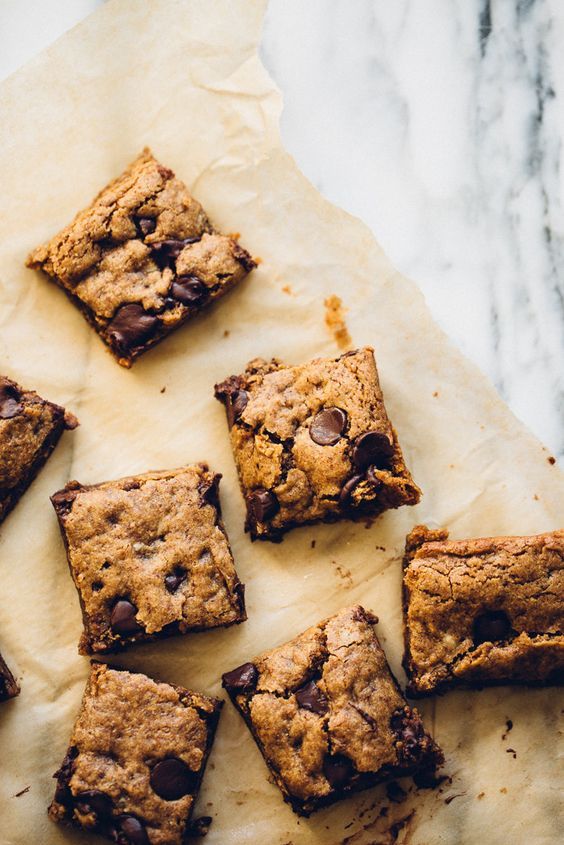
184,78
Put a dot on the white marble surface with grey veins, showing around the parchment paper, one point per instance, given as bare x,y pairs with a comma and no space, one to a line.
440,123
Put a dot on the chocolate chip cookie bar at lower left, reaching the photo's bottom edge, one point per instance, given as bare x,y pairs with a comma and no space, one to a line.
136,759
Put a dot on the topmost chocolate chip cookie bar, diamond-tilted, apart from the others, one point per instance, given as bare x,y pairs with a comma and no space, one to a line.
142,259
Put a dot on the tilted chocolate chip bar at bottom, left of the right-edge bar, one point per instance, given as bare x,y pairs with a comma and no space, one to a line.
328,715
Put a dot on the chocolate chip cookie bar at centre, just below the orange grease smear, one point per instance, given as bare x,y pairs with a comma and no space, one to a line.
313,443
